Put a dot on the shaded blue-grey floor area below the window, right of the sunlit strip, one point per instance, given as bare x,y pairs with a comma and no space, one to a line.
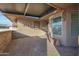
67,51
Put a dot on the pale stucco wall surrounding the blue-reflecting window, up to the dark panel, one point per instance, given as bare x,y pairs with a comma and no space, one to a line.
66,38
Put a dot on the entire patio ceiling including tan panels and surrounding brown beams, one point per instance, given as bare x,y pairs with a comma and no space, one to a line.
37,11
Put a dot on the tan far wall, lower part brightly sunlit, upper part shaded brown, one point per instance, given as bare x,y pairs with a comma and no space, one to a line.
29,28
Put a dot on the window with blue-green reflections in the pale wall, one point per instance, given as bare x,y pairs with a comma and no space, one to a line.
56,25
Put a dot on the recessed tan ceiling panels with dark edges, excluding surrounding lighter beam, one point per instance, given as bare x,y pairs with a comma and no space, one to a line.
27,9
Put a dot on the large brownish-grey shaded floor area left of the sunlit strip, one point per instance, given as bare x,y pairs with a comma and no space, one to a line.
23,45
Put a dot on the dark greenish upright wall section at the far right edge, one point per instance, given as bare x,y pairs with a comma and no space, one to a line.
74,27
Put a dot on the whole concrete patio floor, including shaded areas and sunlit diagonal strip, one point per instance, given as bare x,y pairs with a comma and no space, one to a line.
23,45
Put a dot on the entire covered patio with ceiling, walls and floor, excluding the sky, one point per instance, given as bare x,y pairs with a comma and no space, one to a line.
39,29
